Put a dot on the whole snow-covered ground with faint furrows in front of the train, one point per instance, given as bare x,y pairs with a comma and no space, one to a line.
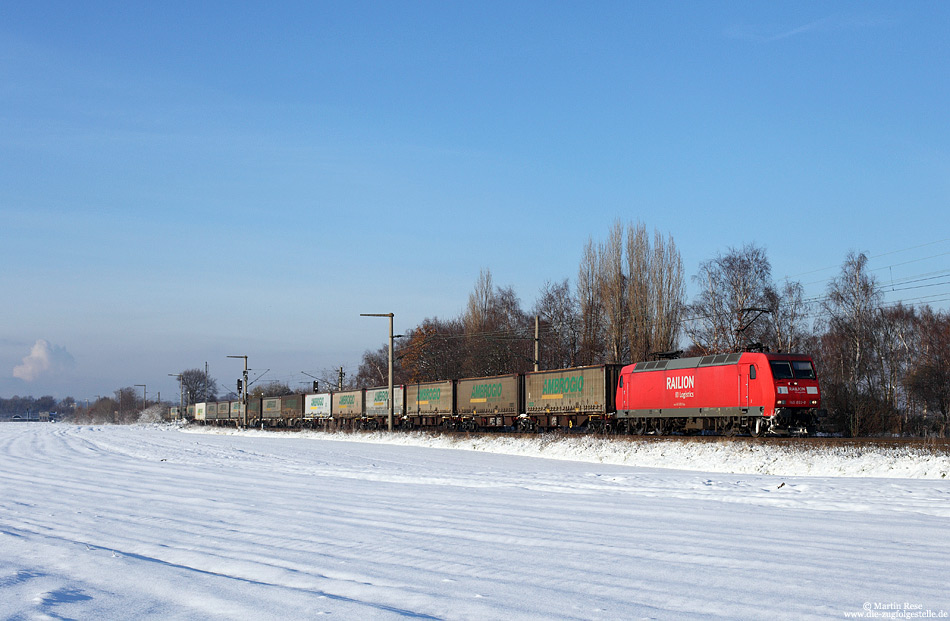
155,522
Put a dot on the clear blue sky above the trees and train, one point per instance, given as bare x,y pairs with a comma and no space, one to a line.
182,181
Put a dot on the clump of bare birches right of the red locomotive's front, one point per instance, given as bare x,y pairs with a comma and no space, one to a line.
885,369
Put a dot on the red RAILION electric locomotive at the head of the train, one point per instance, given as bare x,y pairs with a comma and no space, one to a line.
726,393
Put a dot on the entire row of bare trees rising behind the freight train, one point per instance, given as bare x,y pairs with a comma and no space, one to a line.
883,369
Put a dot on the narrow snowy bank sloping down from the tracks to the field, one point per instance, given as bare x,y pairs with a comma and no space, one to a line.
740,456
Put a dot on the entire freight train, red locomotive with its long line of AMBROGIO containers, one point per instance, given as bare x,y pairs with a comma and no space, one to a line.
754,393
